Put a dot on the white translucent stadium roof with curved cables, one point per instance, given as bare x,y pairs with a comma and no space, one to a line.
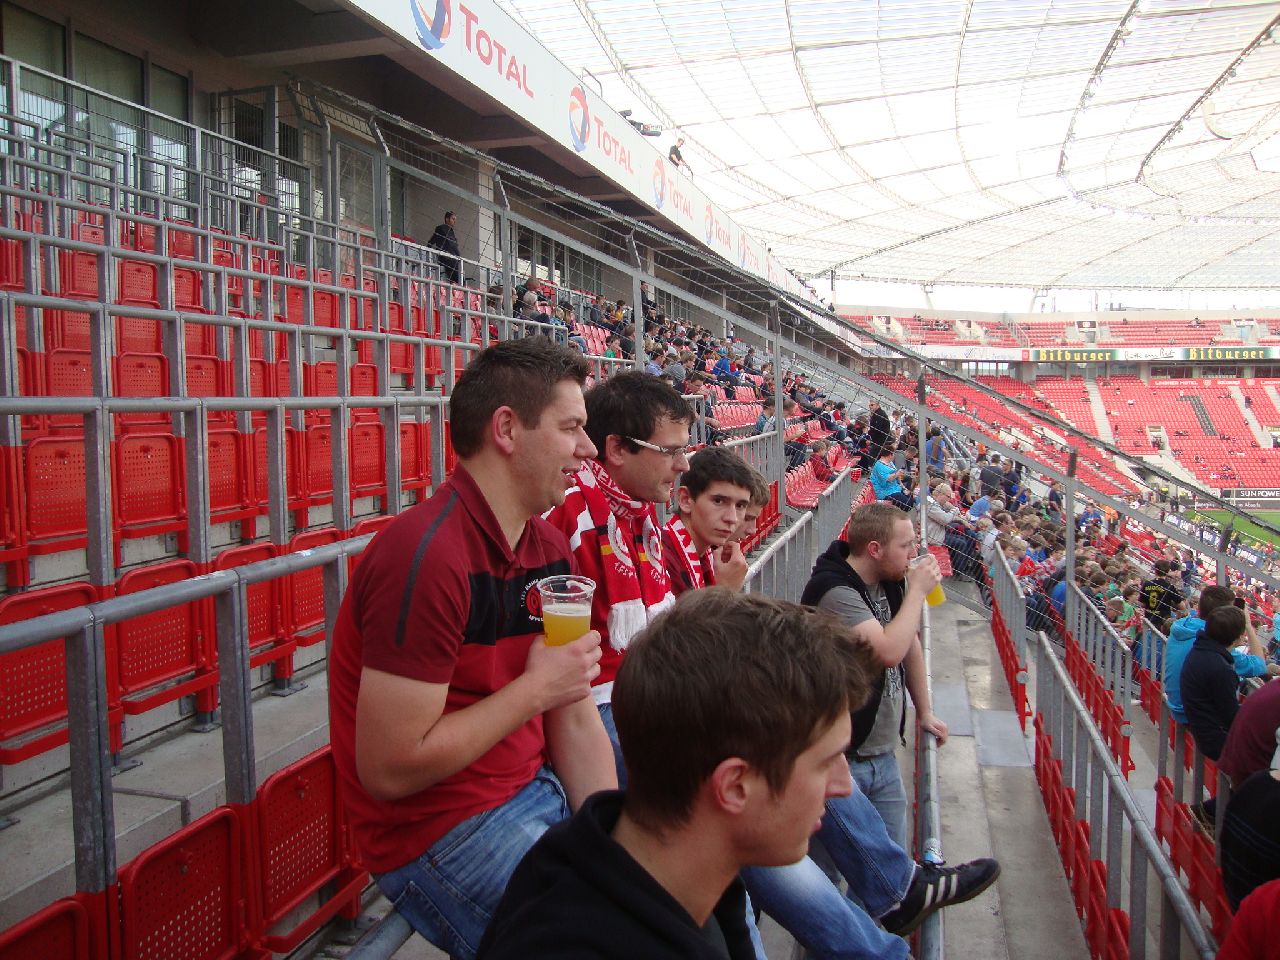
1043,144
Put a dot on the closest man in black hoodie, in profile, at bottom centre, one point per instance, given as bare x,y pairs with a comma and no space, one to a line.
767,687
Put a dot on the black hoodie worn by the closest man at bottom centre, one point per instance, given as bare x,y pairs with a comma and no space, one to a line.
579,895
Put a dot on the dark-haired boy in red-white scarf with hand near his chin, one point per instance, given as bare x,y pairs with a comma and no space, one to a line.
698,546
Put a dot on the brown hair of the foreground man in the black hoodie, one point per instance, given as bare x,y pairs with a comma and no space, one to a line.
725,675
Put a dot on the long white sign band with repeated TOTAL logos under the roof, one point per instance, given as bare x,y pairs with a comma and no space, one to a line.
483,45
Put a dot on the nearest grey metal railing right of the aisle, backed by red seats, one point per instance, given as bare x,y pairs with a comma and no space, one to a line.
1091,812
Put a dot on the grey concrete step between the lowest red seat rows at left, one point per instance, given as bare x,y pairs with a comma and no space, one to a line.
179,780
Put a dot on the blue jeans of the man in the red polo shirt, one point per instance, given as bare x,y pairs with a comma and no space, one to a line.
451,892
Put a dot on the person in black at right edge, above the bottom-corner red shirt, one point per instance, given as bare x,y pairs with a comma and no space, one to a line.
1250,848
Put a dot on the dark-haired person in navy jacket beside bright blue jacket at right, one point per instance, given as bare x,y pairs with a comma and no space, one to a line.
1209,680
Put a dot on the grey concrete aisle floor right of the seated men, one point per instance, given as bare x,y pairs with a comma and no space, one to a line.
991,806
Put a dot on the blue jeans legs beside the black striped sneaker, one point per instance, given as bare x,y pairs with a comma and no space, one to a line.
810,907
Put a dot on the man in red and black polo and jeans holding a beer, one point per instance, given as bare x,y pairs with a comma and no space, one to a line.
445,716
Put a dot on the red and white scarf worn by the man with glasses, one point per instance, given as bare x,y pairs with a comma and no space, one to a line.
619,545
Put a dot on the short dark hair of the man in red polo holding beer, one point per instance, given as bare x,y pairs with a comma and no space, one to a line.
518,374
